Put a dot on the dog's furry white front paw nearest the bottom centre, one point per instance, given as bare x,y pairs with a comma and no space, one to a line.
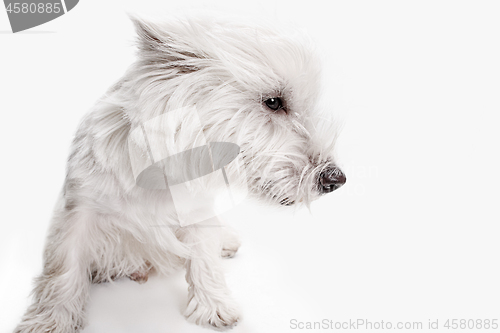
212,313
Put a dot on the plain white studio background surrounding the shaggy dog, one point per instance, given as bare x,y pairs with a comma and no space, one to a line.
413,235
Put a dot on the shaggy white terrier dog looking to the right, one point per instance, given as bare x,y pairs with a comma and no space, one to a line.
195,84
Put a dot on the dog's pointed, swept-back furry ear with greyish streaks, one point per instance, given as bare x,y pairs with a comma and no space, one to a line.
158,44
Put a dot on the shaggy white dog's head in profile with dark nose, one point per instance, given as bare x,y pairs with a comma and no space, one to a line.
250,87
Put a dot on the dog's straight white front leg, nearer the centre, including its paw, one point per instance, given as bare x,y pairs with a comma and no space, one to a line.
209,301
